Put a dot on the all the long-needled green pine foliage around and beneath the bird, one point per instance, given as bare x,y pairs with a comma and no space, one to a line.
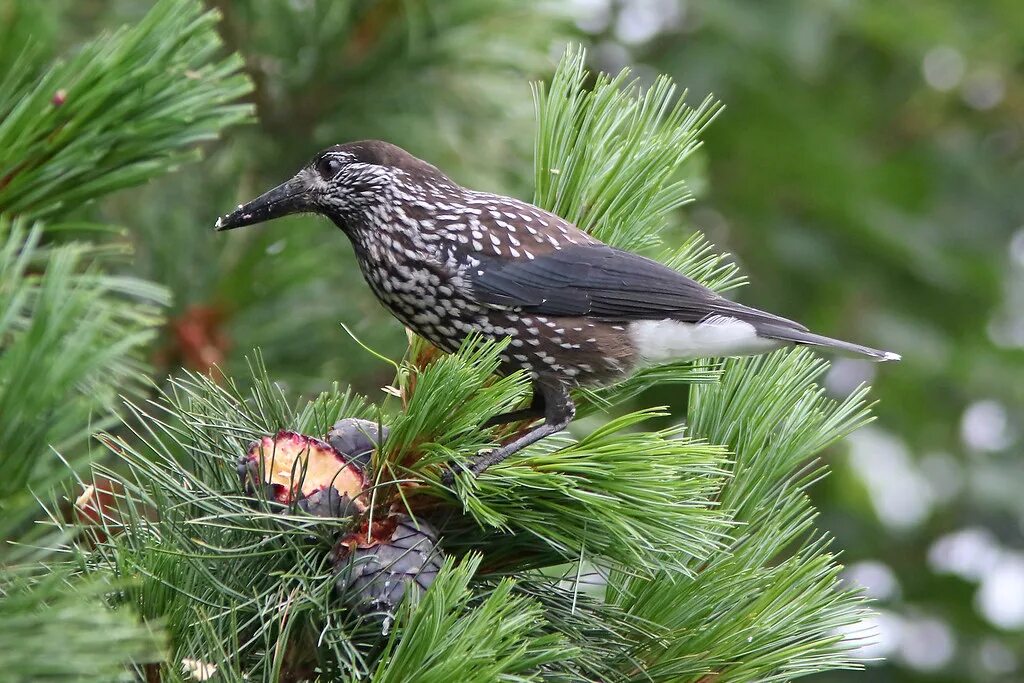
615,553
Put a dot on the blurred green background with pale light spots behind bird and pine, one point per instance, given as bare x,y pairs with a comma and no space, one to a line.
867,174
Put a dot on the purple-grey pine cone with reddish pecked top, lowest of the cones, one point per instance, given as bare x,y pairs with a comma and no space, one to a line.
378,567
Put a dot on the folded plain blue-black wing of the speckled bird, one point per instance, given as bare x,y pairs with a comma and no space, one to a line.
603,282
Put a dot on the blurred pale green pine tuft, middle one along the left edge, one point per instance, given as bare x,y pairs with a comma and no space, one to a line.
71,337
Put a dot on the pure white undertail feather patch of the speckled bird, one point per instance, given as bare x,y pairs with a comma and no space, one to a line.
719,335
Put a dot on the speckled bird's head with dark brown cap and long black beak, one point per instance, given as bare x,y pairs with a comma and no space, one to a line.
344,183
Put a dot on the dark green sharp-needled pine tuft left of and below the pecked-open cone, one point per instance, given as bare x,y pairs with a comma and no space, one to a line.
233,583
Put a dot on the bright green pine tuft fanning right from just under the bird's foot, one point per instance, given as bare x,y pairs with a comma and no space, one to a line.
596,496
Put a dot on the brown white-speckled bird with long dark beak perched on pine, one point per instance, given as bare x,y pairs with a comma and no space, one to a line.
450,263
